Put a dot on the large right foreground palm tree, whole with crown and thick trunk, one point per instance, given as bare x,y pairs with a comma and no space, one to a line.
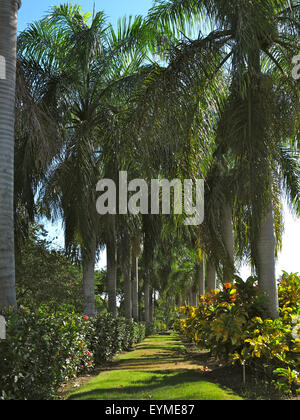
249,39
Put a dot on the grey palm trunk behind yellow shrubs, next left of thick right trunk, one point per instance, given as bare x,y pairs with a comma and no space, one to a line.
228,238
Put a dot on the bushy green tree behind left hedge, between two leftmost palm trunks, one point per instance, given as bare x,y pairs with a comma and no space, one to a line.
45,276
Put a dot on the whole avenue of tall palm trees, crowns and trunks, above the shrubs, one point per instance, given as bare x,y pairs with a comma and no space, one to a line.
197,89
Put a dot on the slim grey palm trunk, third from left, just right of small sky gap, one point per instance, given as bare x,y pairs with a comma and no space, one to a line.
112,269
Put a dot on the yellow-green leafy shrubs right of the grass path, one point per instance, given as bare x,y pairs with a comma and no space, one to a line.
230,323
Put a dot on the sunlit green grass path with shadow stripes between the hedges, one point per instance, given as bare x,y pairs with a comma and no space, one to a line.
157,369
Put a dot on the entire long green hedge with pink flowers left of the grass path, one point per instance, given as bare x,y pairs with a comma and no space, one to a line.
42,351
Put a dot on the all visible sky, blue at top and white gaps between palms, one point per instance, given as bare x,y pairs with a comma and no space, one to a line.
289,258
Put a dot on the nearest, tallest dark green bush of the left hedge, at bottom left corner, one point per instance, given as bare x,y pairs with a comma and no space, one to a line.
41,352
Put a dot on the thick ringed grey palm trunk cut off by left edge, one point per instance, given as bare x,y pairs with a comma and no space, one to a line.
8,38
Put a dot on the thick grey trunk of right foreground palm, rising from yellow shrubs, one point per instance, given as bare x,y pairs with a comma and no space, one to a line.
266,263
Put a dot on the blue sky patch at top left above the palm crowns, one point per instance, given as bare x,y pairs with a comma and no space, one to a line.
33,10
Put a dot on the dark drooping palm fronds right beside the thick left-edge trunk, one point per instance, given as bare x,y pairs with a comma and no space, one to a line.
36,144
